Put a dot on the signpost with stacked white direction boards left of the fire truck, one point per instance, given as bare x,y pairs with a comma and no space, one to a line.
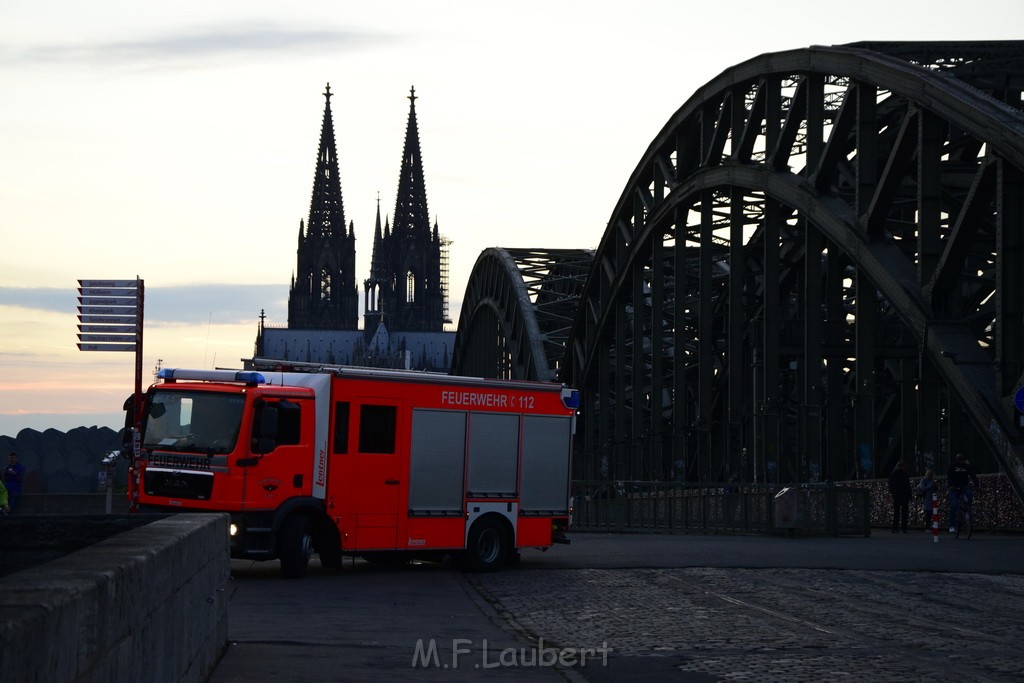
110,319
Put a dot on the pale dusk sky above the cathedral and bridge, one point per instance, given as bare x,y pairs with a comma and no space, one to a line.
177,143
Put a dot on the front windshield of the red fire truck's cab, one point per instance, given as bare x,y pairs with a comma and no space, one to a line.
193,421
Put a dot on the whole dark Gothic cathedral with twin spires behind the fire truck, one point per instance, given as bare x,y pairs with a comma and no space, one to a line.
406,295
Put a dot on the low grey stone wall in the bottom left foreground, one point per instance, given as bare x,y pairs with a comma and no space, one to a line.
147,605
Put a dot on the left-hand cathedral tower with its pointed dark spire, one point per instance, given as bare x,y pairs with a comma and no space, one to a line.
323,295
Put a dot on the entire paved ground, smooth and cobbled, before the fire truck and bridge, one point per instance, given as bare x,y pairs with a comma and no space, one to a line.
653,608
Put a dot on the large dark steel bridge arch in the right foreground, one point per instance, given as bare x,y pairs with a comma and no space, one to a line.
815,272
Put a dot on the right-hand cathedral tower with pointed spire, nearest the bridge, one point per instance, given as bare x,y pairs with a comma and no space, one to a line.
405,290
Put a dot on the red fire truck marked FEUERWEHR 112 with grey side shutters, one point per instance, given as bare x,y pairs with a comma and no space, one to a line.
376,463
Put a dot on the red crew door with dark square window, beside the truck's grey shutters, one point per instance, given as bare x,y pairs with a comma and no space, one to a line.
377,479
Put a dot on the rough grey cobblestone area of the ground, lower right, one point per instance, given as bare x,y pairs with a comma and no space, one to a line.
792,625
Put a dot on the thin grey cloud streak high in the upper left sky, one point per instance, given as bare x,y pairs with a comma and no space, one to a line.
201,47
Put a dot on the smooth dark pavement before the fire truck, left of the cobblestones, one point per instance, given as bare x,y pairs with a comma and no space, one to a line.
367,623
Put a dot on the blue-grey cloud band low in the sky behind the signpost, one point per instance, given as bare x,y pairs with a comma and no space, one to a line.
184,304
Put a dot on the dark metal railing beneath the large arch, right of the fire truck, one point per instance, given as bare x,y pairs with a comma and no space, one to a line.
721,508
